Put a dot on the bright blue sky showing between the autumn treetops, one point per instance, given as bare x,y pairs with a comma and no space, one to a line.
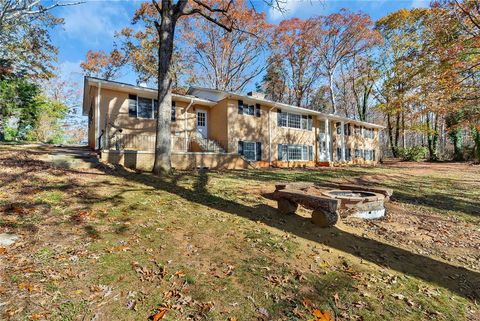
92,25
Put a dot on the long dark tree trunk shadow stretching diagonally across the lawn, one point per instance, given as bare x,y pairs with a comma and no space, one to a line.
457,279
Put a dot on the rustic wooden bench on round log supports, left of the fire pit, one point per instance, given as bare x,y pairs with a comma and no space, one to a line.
324,209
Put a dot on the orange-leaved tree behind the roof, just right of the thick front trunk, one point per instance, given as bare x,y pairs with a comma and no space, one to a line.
227,60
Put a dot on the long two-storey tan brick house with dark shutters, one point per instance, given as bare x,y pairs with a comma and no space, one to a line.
218,129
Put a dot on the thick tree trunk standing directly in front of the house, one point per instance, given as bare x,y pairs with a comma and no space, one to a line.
166,32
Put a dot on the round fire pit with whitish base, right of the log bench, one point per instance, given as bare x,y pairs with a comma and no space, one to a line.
358,203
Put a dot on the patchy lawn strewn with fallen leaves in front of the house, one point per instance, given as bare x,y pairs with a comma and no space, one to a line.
112,244
